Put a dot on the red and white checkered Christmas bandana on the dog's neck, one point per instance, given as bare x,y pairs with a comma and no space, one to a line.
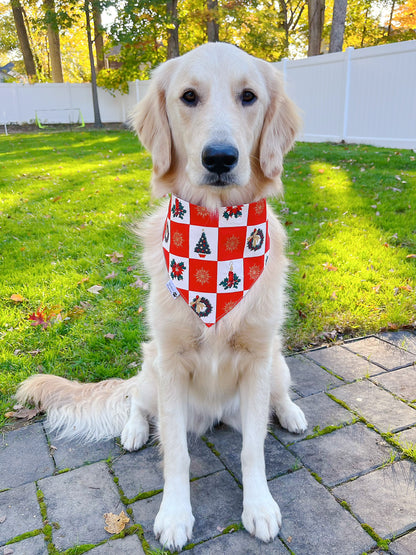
214,258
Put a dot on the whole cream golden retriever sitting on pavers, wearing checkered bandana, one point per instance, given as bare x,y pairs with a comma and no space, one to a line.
218,123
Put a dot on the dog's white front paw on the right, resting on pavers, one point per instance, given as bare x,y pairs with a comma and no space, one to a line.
262,518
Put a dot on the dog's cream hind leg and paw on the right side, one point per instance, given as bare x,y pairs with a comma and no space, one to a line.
289,414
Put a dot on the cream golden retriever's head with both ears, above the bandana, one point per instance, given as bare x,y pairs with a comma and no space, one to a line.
218,123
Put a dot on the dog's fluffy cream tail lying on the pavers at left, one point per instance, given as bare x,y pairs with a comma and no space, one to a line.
84,411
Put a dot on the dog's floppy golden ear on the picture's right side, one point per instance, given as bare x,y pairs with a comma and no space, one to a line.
280,127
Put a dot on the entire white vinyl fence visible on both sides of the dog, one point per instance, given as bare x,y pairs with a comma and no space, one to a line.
363,96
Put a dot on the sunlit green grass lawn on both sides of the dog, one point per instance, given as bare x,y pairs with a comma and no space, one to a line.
67,199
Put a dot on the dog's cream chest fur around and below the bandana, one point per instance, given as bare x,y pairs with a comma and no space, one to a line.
215,357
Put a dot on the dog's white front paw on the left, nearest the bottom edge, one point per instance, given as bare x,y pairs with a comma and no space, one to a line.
173,526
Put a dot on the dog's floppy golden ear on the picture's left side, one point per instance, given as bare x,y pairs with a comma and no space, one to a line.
150,121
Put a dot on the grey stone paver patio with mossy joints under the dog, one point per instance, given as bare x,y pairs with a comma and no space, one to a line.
346,487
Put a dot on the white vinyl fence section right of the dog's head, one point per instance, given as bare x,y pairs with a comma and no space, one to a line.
363,96
